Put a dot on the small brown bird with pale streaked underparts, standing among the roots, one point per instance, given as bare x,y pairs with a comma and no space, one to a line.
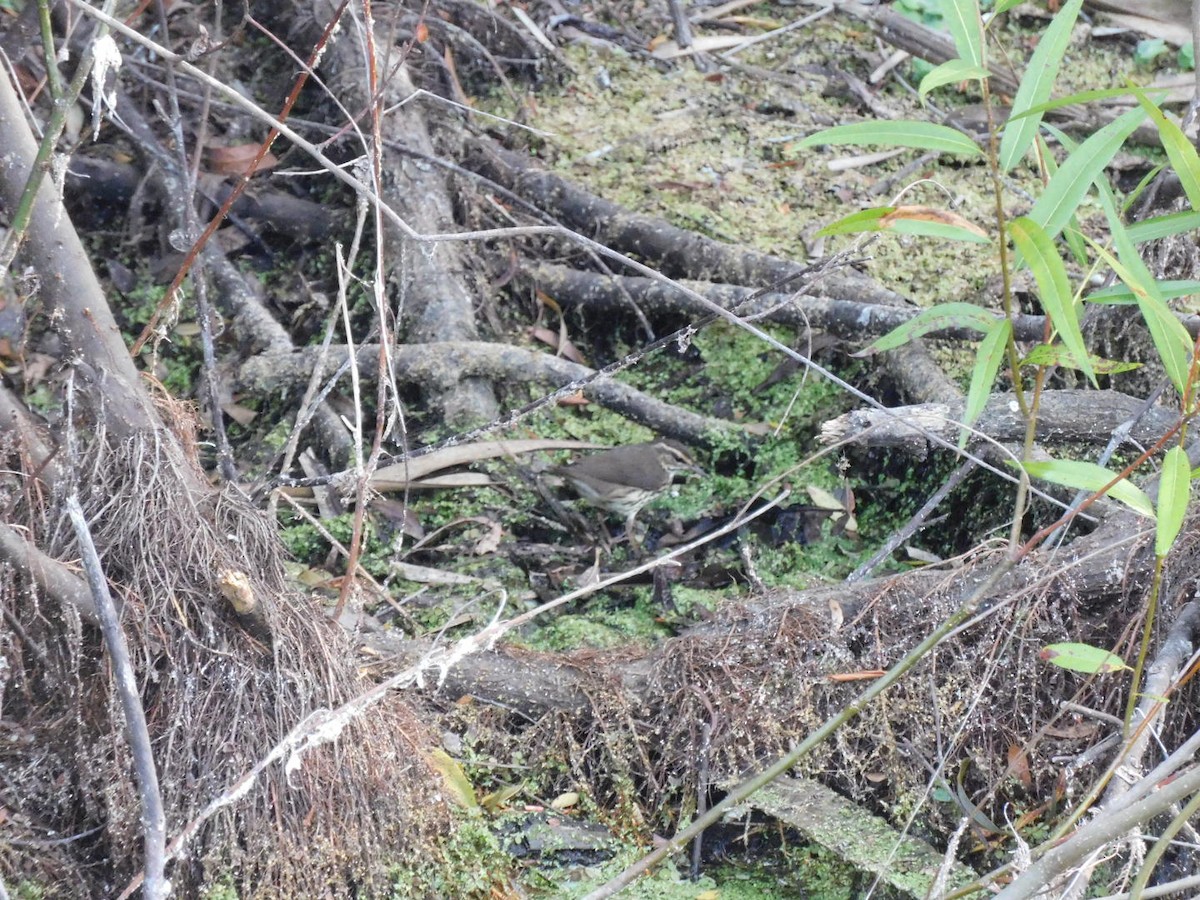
627,478
